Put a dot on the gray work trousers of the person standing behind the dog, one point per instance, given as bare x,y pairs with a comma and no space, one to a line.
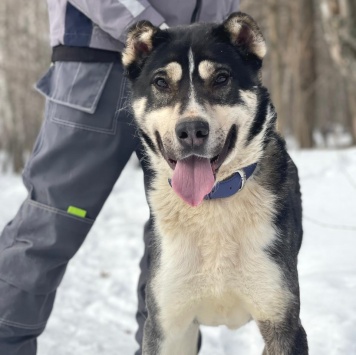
85,142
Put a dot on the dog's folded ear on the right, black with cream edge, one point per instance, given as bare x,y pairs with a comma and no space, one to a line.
245,34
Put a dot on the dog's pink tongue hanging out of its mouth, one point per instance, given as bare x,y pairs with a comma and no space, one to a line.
193,178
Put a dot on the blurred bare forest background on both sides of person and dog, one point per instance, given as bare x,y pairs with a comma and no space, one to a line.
310,68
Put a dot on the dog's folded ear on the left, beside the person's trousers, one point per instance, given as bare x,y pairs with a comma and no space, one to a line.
139,45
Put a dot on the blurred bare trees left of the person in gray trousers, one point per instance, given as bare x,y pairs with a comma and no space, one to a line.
24,53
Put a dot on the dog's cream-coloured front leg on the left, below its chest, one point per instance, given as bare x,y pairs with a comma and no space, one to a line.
159,341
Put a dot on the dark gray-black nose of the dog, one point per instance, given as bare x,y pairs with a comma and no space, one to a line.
192,133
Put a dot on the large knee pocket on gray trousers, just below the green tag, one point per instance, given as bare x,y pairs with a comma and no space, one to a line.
37,245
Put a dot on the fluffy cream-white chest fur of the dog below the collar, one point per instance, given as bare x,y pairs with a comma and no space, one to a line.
213,266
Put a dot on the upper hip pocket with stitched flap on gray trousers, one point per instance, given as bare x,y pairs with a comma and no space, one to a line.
85,96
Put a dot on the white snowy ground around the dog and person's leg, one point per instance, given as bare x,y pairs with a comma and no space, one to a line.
95,306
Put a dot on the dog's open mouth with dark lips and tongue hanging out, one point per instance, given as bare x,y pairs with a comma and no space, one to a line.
194,176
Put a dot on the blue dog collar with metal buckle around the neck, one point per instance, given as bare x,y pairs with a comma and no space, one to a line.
231,185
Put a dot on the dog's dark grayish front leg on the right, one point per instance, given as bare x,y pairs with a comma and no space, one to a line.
285,338
